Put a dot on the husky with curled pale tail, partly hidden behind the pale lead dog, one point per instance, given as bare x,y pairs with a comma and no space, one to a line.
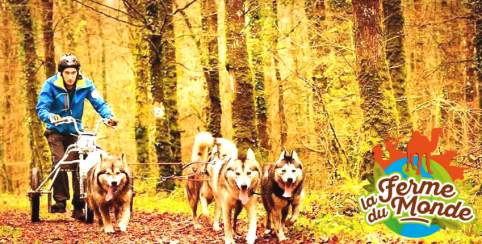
200,188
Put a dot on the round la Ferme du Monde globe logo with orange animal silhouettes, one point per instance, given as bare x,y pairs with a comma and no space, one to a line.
413,193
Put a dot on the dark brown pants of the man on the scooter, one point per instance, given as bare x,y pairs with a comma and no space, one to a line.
58,143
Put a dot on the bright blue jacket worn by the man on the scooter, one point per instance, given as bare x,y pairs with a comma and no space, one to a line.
54,99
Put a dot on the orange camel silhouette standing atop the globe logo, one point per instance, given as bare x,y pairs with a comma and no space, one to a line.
419,144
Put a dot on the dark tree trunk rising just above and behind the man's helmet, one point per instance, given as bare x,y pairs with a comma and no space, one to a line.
48,34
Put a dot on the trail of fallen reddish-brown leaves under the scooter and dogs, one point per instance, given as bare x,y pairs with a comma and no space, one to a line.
144,227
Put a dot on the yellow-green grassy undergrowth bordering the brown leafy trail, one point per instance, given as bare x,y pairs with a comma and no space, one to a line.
330,212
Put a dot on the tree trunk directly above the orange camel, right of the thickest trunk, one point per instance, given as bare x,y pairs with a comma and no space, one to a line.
395,51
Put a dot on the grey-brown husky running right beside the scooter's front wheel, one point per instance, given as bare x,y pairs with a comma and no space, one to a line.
108,185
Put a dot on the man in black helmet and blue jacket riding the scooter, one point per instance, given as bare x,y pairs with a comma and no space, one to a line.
63,95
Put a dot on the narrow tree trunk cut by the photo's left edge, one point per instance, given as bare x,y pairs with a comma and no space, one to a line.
7,55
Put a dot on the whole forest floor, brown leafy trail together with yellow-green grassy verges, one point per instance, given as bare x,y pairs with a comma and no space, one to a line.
330,215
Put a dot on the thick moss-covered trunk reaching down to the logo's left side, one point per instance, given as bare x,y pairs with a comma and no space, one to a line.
376,93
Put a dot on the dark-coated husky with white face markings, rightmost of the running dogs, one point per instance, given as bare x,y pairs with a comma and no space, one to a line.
282,188
